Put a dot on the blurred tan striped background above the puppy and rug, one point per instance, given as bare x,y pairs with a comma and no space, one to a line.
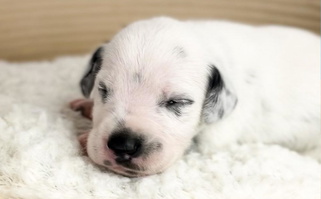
44,29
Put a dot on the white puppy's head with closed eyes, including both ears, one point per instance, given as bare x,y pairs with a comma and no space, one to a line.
152,88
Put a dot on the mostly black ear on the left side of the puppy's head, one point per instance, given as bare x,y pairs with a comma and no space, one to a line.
88,81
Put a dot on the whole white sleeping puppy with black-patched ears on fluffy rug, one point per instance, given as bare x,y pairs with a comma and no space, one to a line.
159,83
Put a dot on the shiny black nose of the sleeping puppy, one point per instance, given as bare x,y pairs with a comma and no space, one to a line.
125,144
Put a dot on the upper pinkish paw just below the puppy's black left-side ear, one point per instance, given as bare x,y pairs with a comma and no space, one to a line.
84,106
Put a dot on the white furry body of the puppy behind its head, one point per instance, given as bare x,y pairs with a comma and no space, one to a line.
275,74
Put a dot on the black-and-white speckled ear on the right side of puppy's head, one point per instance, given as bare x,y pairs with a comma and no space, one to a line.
219,101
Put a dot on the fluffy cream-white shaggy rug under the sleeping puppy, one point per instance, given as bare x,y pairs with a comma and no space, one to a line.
41,158
